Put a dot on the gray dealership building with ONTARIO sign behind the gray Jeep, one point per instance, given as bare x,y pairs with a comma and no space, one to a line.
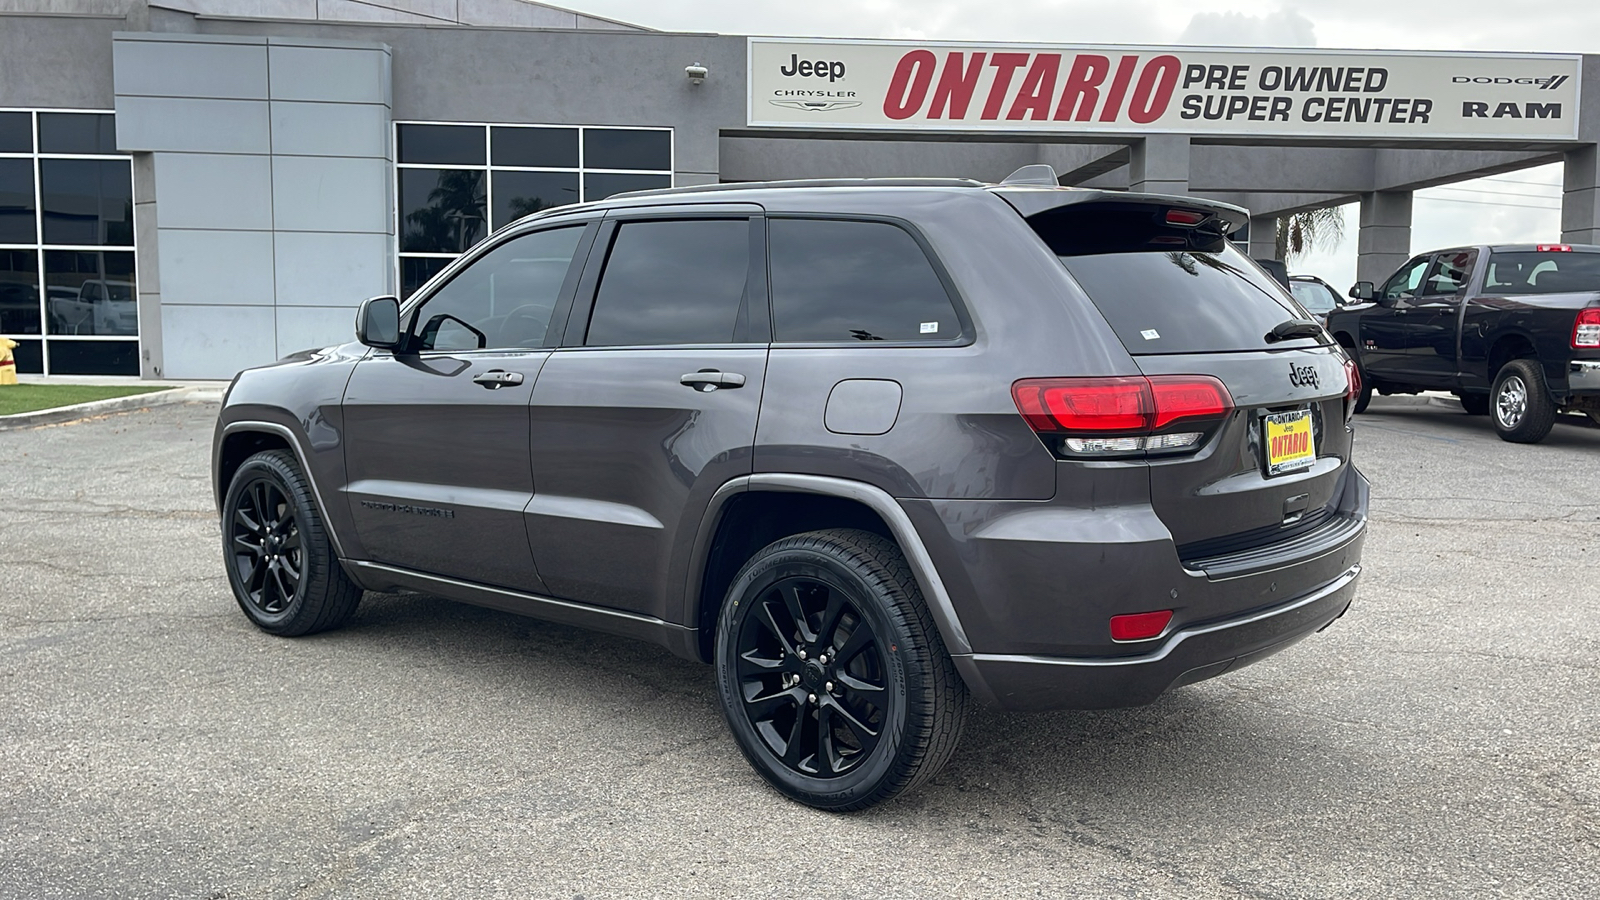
196,187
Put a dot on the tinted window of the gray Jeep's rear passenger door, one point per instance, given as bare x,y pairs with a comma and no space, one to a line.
674,283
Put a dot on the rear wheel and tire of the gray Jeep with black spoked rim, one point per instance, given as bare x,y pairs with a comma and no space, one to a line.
894,710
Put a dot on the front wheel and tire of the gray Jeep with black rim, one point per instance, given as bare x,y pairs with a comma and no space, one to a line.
281,563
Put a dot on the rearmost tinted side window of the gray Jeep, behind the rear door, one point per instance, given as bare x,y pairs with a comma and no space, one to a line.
849,281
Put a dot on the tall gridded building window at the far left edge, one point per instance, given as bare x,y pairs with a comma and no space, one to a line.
68,289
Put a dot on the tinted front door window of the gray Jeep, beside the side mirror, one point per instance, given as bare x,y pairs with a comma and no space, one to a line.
505,299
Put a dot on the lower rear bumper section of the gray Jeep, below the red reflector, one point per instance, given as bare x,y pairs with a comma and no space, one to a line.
1023,683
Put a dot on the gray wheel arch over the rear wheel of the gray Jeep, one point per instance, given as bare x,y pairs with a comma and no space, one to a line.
754,512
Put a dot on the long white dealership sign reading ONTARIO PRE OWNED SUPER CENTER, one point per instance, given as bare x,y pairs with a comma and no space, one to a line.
1326,94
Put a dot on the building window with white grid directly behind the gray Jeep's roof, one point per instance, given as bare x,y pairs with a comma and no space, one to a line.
458,183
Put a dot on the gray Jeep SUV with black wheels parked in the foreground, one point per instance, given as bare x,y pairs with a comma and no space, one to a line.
868,448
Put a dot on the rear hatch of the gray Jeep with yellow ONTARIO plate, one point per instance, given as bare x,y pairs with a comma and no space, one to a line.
1188,303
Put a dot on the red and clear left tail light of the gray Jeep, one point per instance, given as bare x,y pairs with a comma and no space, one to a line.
1124,417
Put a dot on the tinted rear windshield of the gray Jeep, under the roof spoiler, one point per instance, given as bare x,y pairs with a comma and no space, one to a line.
1166,289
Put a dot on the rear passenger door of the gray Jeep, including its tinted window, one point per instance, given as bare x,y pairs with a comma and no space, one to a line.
650,406
